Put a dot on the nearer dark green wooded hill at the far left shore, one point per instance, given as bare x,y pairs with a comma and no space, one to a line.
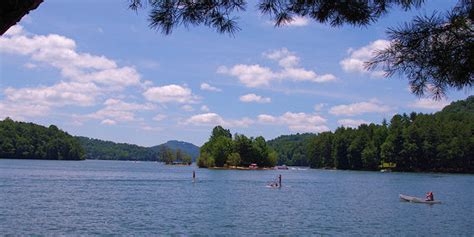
19,140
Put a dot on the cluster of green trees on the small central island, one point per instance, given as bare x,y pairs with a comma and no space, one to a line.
224,150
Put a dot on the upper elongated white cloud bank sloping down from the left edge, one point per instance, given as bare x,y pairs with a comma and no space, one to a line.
60,52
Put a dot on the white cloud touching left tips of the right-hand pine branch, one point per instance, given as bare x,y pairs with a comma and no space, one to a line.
357,58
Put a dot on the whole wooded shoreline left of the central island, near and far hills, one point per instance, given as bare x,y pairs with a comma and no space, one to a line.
20,140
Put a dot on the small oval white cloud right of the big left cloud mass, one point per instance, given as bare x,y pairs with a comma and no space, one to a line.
171,93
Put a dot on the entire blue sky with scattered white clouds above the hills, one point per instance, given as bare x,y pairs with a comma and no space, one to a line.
95,69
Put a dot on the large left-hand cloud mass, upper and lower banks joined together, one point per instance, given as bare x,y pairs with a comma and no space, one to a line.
85,76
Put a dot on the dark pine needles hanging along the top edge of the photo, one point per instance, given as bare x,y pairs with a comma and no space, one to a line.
218,14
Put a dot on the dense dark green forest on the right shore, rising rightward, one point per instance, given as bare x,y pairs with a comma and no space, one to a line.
442,142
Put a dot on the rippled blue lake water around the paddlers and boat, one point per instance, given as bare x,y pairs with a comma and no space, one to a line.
146,198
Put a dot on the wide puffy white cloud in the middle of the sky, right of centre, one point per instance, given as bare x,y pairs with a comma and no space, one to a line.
259,76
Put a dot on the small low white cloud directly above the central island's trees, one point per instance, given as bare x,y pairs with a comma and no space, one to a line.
213,119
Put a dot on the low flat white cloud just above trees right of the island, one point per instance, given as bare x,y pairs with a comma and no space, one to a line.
296,122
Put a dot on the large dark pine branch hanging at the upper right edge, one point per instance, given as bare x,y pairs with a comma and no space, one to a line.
433,52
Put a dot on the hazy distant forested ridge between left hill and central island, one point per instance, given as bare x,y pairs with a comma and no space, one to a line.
97,149
